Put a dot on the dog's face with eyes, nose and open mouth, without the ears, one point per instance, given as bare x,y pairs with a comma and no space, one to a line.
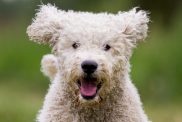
89,61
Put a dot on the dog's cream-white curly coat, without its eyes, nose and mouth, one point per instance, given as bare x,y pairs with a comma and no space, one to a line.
118,99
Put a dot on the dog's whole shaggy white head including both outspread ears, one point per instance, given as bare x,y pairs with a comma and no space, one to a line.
92,49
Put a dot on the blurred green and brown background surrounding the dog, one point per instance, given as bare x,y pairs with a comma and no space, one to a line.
156,64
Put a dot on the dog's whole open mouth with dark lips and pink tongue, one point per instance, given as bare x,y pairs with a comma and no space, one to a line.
89,87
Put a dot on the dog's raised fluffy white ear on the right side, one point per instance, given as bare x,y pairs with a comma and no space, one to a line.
134,25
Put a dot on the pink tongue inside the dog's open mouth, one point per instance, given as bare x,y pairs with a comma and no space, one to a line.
88,88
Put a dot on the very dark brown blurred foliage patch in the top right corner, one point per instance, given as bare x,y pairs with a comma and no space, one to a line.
163,10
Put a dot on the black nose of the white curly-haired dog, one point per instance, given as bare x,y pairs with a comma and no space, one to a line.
89,66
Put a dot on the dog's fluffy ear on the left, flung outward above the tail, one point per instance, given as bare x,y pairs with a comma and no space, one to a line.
46,26
